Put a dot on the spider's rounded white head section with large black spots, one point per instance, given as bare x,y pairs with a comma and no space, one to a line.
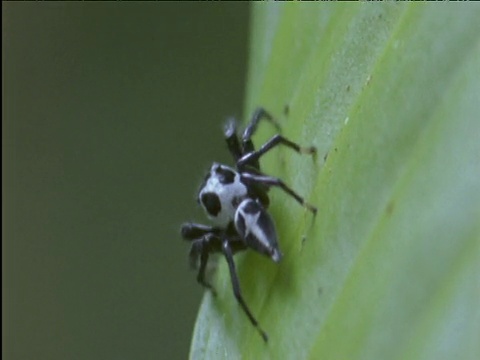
221,194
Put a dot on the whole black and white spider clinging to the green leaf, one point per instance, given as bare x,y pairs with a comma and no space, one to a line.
236,201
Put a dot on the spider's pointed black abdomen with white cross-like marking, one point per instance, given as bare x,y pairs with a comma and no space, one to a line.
256,227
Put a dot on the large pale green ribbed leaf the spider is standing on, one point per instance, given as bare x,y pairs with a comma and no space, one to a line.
390,267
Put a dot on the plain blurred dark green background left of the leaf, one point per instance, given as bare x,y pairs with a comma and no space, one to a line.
112,112
